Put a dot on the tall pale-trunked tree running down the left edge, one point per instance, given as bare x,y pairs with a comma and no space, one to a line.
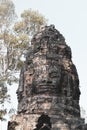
7,15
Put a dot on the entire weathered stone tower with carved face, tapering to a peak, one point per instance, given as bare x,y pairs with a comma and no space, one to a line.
48,92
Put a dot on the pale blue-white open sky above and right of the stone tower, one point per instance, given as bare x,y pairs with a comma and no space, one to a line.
70,18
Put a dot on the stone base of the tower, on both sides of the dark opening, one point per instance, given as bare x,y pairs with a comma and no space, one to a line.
29,122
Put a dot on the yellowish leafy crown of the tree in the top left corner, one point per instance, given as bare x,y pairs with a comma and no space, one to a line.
7,13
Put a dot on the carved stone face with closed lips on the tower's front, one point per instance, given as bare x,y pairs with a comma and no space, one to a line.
47,75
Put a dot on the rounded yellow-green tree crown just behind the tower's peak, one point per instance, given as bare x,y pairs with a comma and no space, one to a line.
30,23
